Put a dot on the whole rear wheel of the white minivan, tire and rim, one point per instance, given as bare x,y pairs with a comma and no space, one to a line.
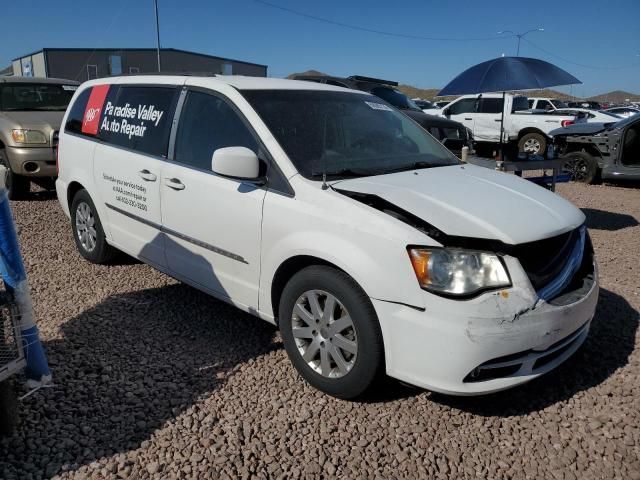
87,230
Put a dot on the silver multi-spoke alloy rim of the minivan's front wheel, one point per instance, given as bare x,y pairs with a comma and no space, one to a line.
324,334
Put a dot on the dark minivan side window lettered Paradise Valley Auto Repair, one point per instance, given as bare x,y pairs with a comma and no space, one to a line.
139,118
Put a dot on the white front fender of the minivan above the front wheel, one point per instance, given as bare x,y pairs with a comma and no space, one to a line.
303,226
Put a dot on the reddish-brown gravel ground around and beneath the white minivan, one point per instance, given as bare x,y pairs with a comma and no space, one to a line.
154,379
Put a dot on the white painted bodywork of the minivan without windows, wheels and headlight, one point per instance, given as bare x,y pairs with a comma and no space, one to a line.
429,340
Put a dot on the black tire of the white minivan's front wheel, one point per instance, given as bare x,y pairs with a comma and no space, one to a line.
367,361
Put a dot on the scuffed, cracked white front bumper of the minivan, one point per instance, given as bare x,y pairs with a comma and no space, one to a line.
493,342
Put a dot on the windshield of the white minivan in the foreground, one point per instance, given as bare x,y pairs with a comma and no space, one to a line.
345,134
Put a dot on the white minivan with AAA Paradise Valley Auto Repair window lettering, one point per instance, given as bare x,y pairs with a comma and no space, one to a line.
334,216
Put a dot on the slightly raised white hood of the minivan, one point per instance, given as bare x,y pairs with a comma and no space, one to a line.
473,202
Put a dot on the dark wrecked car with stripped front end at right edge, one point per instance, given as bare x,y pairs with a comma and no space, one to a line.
600,150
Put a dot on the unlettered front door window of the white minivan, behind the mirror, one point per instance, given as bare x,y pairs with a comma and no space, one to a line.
208,123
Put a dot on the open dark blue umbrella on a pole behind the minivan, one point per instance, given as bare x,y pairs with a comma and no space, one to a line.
508,73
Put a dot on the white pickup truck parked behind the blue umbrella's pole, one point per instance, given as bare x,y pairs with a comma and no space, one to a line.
482,114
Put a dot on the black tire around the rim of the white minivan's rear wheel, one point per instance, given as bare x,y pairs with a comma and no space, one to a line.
98,250
